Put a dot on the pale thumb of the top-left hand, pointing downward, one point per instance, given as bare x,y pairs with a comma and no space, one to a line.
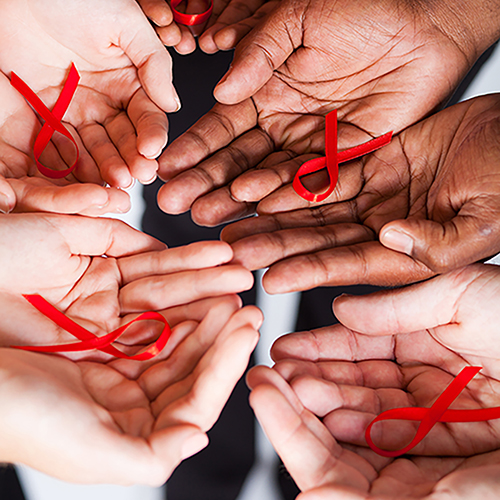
153,62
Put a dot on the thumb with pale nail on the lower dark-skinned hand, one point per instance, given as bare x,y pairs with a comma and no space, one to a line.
445,246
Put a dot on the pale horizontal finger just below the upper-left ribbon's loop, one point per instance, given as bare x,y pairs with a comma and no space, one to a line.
84,199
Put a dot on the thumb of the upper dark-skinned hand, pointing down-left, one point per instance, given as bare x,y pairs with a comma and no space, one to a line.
261,52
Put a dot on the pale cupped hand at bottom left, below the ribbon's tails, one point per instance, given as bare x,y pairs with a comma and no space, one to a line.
124,422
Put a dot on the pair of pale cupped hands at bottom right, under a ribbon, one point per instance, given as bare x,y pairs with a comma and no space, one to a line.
393,349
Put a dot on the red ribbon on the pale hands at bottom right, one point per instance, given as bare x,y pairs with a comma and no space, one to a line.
438,412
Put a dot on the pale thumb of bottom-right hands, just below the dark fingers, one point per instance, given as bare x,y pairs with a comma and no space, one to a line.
421,306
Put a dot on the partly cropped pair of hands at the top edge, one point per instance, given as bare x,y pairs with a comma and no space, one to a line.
230,21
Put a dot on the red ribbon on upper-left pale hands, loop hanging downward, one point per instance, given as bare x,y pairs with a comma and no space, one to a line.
52,119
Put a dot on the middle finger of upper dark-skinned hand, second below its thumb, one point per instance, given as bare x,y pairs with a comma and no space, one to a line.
246,151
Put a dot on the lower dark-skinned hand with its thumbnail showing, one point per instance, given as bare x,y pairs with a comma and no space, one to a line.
425,204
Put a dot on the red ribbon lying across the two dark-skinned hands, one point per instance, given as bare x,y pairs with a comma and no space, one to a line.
333,158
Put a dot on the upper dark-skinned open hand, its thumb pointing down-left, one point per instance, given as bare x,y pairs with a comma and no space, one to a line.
384,66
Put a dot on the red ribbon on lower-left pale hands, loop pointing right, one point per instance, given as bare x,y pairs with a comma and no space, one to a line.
88,339
